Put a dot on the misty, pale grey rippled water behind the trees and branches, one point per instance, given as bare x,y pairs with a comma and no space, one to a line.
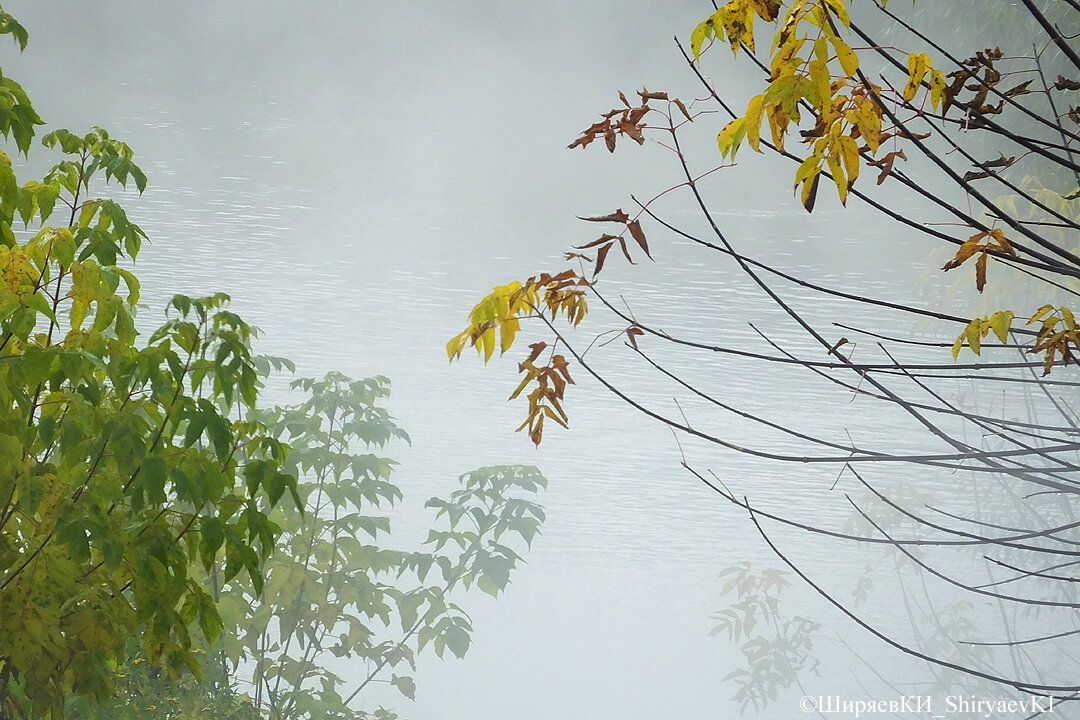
358,178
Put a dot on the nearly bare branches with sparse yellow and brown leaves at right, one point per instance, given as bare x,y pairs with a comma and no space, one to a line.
892,110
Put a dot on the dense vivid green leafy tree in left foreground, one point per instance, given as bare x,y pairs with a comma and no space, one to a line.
120,463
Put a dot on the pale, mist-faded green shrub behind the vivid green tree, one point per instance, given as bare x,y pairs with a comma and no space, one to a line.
333,593
